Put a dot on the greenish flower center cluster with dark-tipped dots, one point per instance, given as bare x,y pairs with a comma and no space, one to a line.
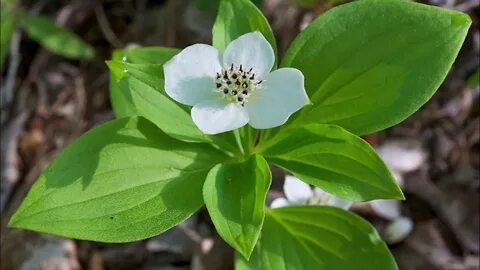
236,84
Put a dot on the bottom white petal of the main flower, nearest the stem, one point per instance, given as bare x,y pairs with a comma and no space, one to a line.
218,115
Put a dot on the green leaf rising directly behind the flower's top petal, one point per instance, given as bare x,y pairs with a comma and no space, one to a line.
238,17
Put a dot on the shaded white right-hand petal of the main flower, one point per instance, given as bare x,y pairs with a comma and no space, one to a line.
282,94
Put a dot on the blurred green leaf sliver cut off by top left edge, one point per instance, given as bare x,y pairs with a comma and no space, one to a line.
7,26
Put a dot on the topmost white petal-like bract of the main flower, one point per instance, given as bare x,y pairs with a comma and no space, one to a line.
251,50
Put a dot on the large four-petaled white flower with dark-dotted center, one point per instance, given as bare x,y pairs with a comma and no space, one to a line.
230,90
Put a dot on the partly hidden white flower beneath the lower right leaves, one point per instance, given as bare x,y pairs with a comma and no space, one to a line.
300,193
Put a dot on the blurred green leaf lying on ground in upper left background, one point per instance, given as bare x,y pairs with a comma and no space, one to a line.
54,38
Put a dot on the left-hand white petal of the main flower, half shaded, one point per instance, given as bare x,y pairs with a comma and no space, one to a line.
189,76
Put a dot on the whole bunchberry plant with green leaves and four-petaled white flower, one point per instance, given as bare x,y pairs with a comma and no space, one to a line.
359,68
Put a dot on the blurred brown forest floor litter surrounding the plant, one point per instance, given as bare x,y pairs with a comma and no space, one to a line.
48,100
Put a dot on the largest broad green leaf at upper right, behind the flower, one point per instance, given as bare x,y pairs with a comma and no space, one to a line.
370,64
